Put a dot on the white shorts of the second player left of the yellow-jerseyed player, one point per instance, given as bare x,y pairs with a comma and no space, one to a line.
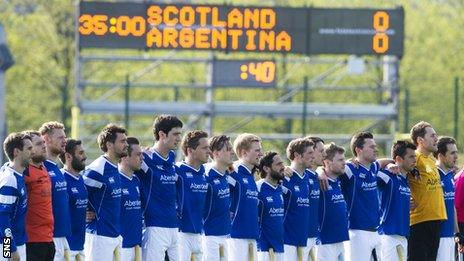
361,244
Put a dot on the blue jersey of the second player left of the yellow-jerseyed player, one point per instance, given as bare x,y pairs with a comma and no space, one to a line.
359,186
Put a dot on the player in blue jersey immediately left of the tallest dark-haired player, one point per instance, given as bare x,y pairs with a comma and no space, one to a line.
131,212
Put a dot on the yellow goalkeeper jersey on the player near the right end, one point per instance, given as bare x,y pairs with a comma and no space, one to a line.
426,192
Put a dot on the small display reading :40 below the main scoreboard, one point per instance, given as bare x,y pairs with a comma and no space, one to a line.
244,73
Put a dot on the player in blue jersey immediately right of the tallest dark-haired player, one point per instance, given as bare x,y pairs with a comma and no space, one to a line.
191,191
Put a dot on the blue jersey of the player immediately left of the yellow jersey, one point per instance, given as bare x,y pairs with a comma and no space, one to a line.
395,202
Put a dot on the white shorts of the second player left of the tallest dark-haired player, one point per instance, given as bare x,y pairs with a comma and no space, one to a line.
99,248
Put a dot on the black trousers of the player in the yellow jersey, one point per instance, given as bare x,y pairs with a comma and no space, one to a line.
424,240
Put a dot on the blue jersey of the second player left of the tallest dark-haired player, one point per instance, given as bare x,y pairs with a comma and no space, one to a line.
103,183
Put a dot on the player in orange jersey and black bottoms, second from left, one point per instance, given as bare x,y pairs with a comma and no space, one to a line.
39,215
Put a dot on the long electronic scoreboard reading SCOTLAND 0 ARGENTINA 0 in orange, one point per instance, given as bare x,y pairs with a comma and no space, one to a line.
237,28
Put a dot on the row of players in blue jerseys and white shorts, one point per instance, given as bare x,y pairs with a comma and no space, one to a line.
194,210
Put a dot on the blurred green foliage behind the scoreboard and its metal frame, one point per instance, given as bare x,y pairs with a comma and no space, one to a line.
41,36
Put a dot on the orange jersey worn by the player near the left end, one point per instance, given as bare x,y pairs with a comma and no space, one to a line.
39,215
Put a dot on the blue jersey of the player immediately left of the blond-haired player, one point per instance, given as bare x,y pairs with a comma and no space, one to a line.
216,221
